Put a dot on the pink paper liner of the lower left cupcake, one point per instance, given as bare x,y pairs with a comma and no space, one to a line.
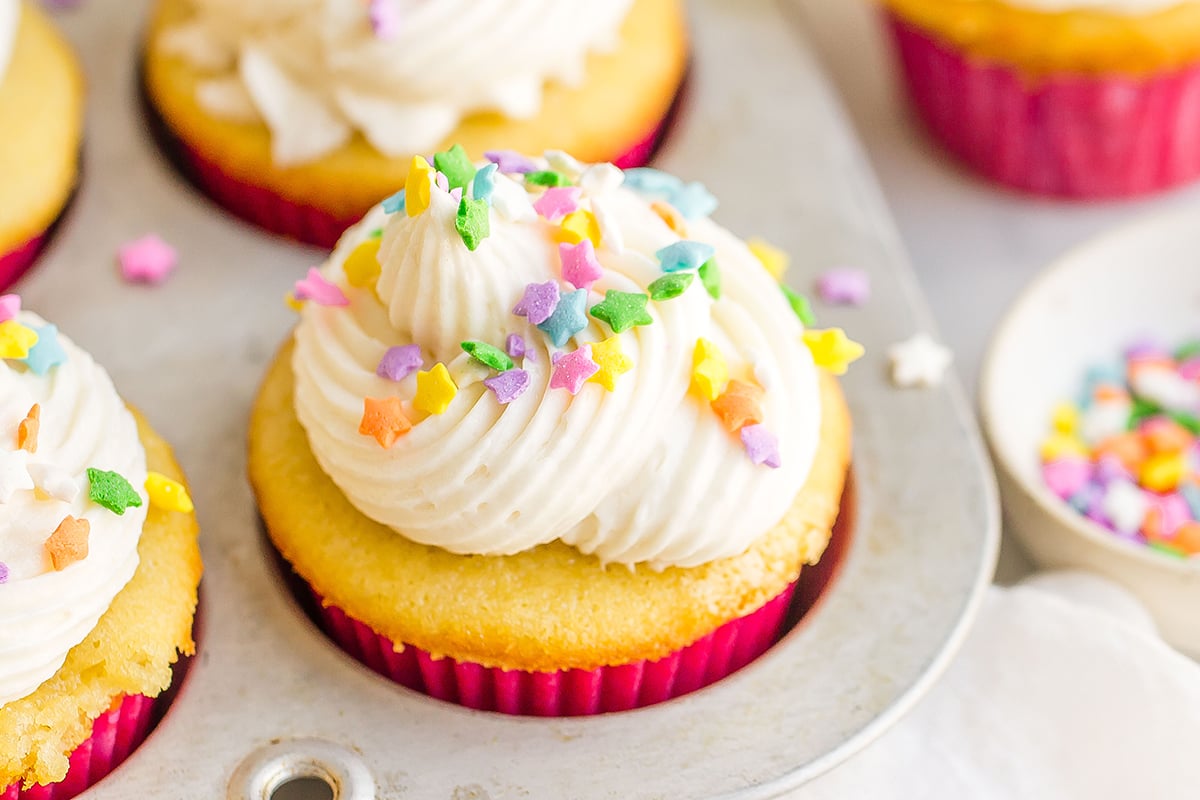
115,736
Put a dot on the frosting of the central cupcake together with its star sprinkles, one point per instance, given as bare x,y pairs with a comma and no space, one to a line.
530,351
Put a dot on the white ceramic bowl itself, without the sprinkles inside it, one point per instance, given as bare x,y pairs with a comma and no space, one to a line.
1143,280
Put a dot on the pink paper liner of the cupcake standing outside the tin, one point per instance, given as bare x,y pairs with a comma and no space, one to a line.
1084,137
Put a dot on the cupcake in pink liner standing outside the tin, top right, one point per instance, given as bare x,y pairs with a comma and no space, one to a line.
1079,99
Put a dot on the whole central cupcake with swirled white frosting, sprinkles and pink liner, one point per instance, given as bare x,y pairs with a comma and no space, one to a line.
550,442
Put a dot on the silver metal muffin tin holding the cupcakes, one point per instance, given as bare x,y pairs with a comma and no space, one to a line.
271,699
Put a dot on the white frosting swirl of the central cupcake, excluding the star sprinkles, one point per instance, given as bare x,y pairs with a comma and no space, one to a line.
643,474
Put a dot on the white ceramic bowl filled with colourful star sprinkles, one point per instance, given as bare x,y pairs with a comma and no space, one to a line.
1091,406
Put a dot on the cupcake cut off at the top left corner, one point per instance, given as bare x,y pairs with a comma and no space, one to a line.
41,87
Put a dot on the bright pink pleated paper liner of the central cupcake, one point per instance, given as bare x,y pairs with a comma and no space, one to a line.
572,693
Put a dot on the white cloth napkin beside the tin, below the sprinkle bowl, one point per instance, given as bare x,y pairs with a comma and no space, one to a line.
1064,690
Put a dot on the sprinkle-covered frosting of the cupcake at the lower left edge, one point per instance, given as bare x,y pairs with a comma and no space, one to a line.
71,498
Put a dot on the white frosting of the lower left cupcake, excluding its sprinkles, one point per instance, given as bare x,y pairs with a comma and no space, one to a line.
85,424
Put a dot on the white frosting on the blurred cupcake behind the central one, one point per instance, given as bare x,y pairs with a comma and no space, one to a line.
403,74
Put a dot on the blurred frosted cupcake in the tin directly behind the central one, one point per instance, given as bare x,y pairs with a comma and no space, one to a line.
301,116
